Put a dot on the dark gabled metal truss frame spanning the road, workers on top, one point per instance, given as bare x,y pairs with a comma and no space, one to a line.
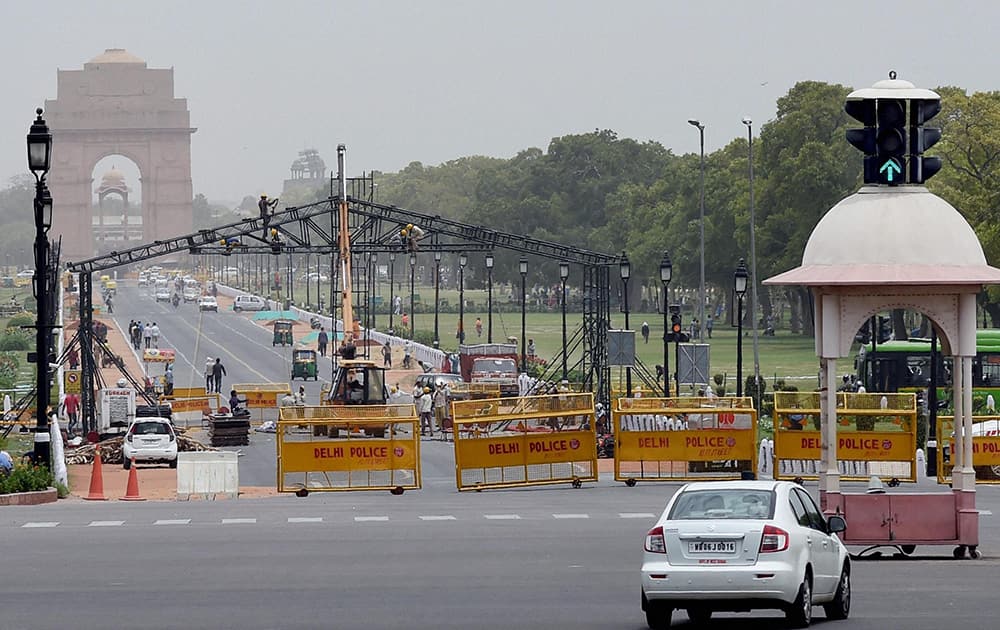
374,229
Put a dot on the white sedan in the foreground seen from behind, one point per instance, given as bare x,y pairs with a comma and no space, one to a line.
742,545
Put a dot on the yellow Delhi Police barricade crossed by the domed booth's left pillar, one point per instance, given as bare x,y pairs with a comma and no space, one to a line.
876,435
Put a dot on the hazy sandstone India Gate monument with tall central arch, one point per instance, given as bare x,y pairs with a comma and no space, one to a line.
118,106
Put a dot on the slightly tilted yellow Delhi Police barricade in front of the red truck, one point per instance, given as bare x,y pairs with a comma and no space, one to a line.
535,440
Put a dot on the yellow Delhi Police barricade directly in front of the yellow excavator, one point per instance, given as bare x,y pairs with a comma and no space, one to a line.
344,455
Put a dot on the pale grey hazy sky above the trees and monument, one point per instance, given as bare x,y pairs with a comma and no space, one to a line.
431,81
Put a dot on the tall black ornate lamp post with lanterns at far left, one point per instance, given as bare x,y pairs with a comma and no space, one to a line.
39,160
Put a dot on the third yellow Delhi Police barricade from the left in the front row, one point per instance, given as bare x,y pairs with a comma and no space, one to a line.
674,439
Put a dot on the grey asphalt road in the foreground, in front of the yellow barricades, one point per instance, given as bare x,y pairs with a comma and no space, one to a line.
530,558
